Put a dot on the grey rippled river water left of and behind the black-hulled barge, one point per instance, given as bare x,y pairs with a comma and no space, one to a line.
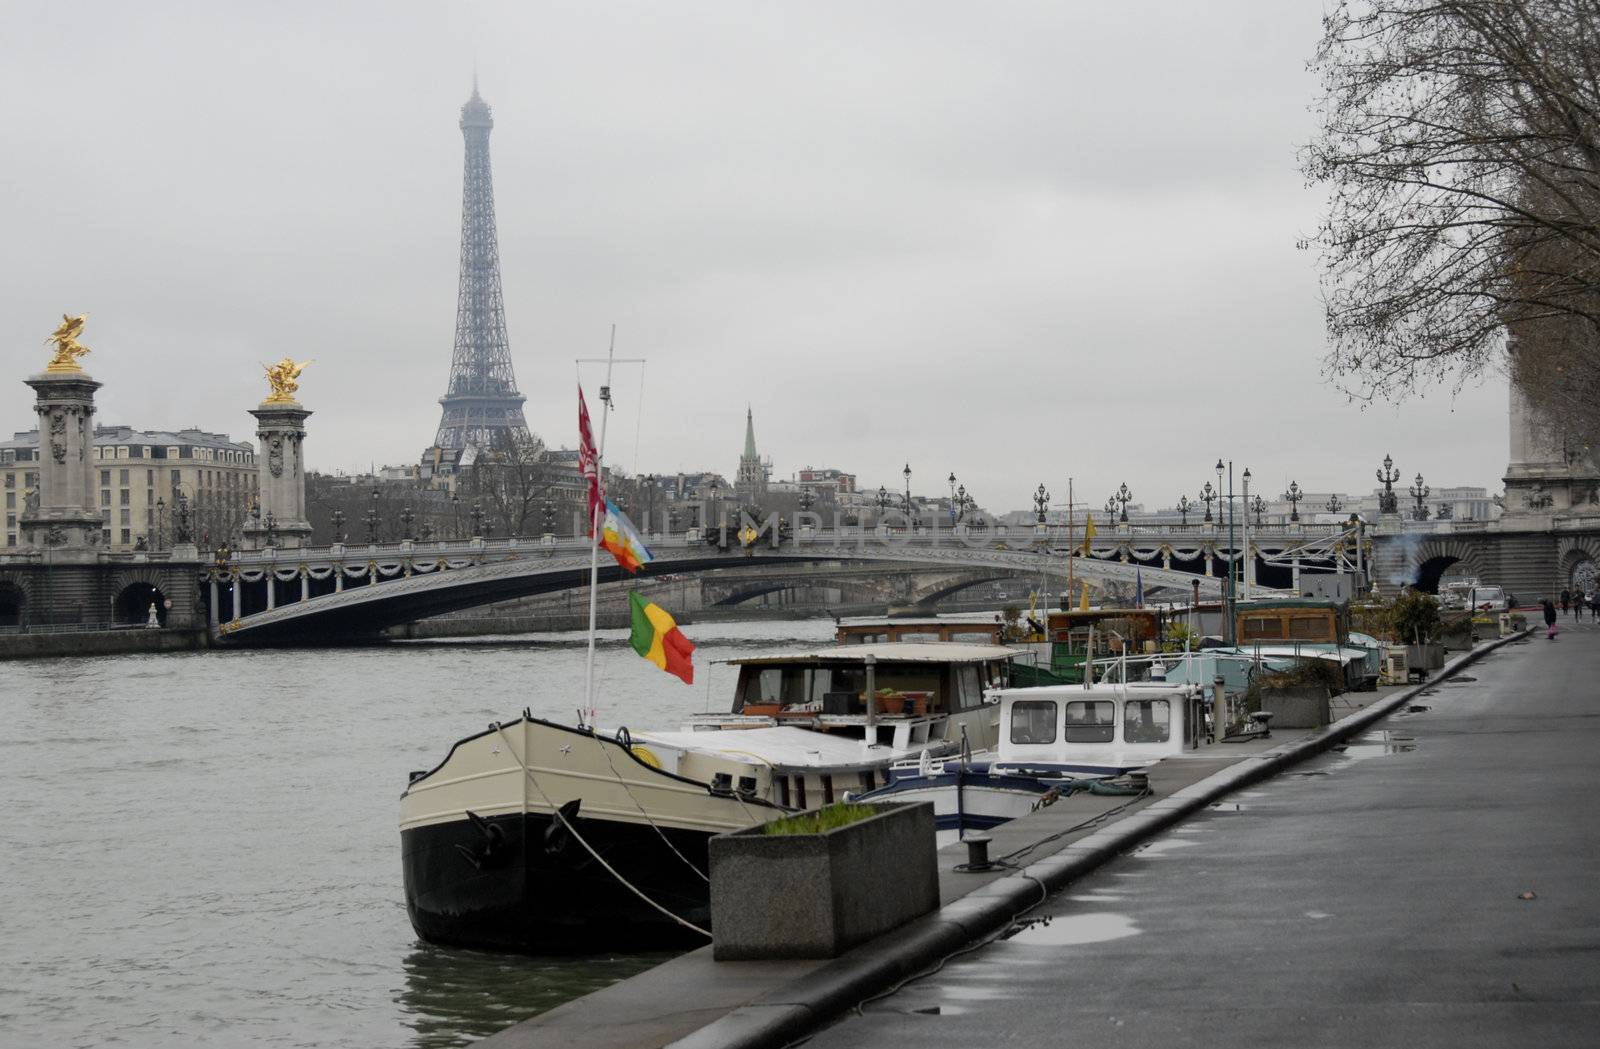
202,850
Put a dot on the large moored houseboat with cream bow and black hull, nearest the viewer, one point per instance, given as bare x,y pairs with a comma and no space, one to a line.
550,839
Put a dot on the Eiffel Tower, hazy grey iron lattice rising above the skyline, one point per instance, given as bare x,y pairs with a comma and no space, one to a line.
482,405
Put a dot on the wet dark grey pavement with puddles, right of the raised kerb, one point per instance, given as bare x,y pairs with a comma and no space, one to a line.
1433,883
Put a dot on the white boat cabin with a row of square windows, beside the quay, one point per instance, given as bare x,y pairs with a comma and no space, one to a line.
1105,730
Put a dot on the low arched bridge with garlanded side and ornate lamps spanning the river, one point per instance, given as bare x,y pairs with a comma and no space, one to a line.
337,592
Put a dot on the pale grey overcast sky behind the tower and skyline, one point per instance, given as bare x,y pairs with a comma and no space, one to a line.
1012,241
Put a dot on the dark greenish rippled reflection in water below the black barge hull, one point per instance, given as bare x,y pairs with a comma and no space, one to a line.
454,997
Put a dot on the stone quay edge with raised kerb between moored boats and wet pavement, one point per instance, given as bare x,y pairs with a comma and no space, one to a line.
708,1003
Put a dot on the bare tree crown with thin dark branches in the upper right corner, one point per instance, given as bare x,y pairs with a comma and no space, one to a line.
1462,148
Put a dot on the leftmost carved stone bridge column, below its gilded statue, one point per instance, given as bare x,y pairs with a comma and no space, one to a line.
63,516
